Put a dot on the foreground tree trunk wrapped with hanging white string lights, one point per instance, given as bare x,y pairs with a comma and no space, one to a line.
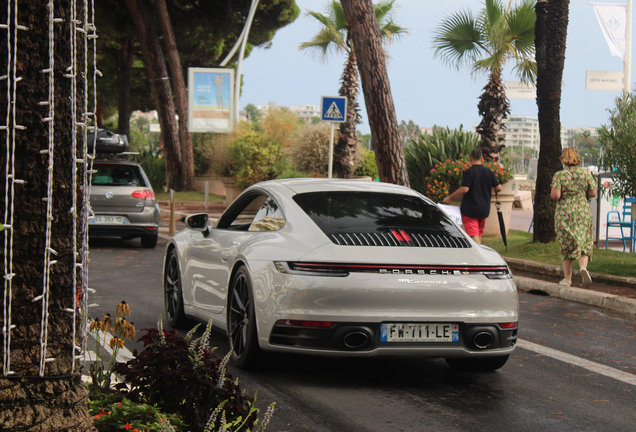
58,401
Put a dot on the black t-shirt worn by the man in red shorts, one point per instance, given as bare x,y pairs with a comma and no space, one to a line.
480,181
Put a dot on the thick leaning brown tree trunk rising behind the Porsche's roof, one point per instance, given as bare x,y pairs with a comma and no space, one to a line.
365,33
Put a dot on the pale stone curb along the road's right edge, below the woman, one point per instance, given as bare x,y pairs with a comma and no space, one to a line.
580,295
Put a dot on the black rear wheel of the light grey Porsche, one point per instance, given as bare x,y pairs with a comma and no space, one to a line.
241,321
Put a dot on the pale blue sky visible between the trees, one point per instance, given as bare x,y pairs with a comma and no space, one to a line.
424,89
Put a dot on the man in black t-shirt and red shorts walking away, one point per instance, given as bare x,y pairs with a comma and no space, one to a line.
476,189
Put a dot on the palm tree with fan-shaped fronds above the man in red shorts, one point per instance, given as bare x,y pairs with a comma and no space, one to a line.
486,43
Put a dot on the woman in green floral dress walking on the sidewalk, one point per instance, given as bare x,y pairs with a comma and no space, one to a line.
571,188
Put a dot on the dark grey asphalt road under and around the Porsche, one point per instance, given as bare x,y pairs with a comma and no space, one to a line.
574,368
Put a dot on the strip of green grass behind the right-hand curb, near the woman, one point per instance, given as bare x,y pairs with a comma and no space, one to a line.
603,260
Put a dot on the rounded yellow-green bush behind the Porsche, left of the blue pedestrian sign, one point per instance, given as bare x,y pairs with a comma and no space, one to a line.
253,158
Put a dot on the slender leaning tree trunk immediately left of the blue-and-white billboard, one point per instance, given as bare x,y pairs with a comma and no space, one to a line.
185,141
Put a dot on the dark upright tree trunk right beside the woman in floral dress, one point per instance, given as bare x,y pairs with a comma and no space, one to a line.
550,37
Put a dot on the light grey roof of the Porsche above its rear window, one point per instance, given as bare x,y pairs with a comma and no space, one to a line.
306,185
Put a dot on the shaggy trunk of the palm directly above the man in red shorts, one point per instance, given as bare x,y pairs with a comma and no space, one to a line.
493,108
